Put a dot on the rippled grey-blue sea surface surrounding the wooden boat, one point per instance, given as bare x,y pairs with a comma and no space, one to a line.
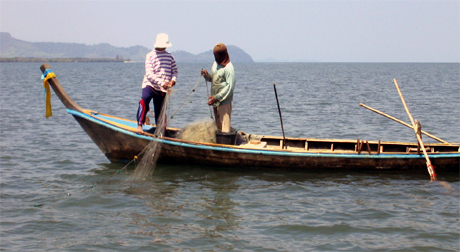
60,193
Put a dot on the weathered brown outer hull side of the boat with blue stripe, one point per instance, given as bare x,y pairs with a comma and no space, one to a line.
119,144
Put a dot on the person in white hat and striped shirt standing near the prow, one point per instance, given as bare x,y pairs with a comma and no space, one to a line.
160,75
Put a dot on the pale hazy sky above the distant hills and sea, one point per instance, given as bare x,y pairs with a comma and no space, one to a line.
327,31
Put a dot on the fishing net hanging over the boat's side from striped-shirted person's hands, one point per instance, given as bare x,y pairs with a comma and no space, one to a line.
149,156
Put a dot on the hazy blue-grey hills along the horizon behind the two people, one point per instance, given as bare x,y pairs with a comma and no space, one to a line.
12,48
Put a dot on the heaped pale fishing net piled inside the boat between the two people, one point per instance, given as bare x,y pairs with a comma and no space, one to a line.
200,131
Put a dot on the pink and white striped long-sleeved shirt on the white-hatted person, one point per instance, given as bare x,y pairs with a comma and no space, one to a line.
160,68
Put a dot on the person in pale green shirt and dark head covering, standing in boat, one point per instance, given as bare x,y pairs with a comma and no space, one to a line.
222,78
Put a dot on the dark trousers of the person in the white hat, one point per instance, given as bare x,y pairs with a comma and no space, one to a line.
149,93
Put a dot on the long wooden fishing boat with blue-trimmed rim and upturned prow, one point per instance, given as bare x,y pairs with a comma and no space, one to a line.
117,139
